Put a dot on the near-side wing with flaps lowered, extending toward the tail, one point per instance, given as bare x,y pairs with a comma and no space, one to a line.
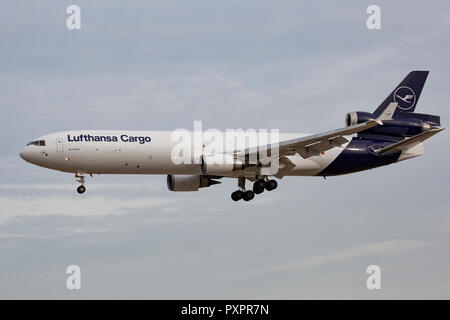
311,145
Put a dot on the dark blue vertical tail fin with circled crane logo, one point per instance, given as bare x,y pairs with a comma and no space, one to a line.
406,94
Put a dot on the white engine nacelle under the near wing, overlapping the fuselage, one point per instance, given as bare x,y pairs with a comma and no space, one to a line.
220,164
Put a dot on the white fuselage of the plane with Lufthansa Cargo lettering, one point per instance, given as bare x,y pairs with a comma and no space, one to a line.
137,152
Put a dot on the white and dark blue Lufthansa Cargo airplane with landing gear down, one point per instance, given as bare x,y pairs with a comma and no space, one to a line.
392,133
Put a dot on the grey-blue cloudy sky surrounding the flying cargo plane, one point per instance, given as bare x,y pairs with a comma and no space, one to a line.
297,66
